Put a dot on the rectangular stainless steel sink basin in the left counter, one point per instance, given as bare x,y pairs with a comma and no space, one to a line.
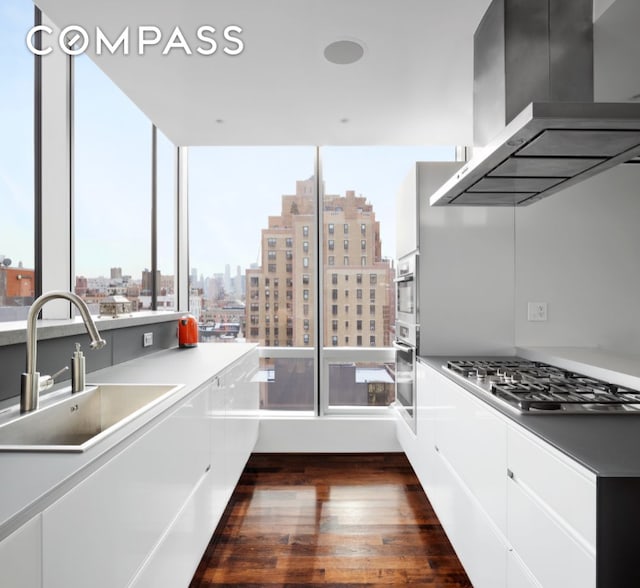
75,422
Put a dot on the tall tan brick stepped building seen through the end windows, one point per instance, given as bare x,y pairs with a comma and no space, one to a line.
357,290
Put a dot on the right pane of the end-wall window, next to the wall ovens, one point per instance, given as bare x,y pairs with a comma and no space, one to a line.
358,240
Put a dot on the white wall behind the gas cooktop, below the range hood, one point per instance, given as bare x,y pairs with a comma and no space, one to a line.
579,251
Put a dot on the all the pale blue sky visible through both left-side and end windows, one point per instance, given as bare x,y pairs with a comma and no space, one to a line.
232,190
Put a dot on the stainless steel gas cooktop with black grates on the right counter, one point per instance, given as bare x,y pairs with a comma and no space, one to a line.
533,387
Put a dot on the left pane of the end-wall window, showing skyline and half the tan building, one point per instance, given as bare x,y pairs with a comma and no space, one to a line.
253,261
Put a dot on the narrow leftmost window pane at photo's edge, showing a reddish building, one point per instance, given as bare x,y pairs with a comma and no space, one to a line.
17,263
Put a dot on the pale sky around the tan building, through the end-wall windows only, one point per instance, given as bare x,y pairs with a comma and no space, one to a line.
233,190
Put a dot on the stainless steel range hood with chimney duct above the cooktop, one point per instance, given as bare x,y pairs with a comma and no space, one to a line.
536,127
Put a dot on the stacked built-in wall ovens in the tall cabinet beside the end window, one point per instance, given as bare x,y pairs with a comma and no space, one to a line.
407,337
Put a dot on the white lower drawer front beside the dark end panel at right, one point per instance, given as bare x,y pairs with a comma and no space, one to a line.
554,557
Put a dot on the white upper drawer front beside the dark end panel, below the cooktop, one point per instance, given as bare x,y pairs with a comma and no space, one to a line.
558,483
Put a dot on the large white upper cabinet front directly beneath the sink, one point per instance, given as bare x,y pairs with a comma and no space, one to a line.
102,531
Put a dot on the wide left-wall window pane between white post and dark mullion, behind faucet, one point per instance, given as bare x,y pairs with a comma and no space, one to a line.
112,191
